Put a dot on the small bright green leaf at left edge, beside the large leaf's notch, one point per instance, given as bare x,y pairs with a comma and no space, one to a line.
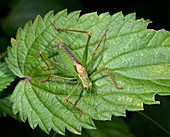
6,76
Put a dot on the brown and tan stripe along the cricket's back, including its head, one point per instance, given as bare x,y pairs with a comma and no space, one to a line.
81,71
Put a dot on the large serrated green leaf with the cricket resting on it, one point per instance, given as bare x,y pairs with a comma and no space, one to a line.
138,59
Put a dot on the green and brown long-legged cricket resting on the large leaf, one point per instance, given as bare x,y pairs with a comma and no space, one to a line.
77,68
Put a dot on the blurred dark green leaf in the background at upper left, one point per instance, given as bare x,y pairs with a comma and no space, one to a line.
31,8
